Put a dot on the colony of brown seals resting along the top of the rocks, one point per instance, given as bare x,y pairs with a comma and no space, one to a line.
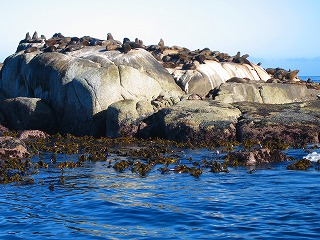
172,58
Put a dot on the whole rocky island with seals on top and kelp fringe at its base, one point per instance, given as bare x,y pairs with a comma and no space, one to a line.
86,97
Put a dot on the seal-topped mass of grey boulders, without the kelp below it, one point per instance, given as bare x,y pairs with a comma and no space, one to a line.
111,88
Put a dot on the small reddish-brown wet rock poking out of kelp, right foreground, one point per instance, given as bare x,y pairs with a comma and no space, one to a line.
258,156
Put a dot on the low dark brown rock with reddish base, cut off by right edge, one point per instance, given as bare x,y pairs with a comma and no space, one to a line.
295,123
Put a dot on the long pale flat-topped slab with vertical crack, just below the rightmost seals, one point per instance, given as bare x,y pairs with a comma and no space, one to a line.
269,93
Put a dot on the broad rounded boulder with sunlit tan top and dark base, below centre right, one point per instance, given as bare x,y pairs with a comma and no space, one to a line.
194,120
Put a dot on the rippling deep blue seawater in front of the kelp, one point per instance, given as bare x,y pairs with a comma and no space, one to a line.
96,202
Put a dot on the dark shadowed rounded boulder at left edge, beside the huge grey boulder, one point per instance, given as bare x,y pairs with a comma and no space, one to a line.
28,113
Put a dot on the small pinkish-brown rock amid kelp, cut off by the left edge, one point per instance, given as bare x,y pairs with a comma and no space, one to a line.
12,148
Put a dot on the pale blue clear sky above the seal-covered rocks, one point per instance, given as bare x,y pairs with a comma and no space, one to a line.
279,33
